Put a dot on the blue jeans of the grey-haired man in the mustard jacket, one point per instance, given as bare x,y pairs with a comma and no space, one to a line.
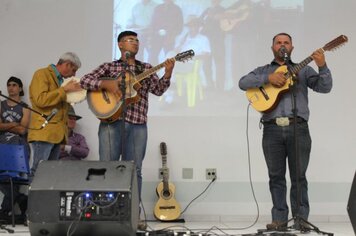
43,151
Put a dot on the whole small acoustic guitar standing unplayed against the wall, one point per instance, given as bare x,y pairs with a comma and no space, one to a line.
167,208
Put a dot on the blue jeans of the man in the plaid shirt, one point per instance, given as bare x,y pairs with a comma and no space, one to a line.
110,145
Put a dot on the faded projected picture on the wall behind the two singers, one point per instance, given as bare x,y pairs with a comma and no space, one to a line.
226,37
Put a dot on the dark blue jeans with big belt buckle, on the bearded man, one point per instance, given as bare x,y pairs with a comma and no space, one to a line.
278,144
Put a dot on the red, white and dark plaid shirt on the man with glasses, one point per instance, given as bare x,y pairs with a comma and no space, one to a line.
136,112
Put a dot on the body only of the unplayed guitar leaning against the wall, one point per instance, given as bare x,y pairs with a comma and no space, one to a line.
167,208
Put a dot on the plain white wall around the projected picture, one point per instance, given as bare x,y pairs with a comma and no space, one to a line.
34,33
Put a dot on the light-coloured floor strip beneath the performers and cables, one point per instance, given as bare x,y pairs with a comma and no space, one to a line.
226,228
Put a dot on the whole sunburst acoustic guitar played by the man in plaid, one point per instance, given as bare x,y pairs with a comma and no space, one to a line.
108,106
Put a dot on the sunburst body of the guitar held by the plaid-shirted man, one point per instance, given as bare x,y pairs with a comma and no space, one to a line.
107,106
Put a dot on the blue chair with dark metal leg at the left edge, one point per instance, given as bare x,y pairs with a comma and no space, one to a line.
14,169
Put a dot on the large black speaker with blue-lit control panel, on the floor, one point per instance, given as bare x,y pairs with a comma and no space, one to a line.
83,198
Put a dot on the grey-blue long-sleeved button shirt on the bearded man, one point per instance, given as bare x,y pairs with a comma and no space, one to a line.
307,77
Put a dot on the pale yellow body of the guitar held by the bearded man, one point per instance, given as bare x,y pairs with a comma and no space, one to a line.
265,98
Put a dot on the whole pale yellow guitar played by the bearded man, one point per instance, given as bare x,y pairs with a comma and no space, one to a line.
266,97
